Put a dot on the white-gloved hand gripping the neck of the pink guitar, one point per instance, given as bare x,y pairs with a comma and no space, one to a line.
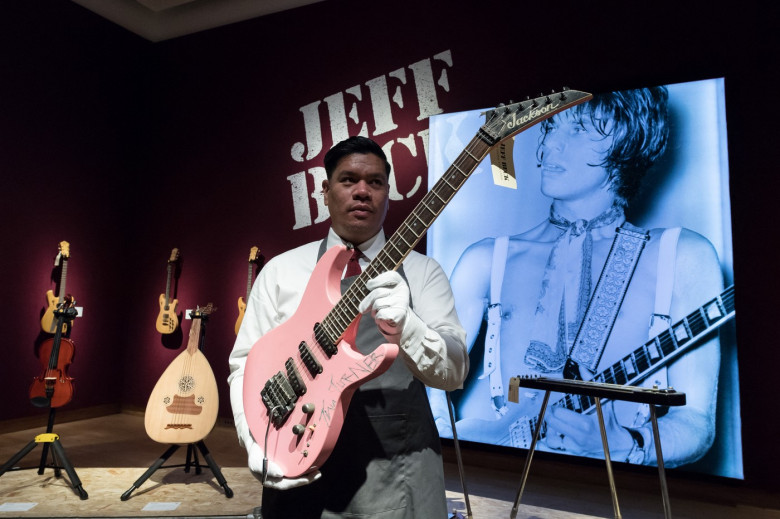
388,302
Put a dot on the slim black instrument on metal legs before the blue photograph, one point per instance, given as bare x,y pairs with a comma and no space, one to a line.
652,397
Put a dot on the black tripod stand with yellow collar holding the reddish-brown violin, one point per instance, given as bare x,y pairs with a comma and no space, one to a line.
59,458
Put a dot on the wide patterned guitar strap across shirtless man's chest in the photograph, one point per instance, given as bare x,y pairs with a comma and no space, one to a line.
608,296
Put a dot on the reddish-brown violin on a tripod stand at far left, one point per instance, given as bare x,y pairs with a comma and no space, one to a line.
53,387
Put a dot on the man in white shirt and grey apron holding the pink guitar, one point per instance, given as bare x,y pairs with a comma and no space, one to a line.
388,459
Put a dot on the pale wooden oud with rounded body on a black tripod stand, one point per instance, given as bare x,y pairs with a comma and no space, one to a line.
184,403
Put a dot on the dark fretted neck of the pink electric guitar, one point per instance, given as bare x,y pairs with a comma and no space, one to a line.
408,235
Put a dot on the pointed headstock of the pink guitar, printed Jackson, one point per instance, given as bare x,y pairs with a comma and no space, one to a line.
504,121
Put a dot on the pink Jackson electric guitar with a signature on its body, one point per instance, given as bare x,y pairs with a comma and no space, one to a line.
300,376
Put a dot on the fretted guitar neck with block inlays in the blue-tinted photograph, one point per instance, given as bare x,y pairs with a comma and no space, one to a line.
660,350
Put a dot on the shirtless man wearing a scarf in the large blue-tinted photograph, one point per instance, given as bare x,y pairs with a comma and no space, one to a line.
591,158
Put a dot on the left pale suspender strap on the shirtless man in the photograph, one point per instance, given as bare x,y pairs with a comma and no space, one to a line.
492,362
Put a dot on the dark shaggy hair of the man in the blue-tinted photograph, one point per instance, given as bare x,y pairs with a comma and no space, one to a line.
638,121
